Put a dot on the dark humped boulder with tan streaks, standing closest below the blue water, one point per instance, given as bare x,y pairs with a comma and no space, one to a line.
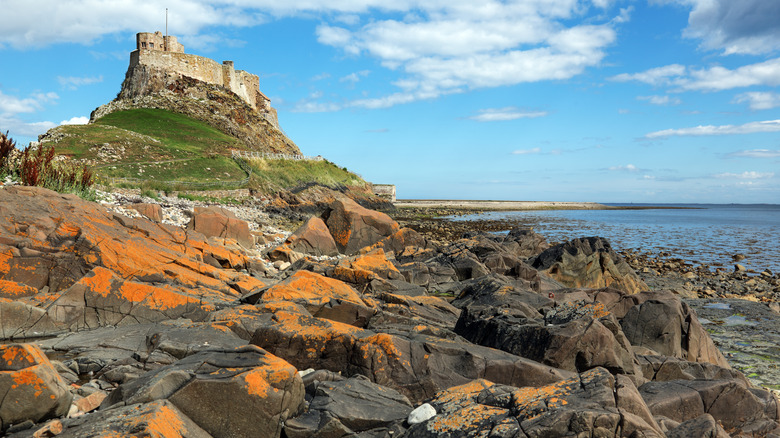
588,262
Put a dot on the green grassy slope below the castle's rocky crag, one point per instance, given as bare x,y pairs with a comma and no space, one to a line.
162,149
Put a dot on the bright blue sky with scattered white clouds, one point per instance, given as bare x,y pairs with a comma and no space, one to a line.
550,100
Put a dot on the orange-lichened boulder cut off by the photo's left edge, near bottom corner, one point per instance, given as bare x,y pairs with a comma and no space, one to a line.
30,387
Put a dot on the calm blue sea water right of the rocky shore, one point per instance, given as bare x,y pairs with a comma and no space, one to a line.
705,233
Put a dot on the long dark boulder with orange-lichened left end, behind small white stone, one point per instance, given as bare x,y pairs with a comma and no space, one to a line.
416,365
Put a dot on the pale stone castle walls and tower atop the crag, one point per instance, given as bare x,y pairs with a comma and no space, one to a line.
164,52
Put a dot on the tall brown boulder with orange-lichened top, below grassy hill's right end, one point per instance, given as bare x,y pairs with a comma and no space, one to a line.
354,227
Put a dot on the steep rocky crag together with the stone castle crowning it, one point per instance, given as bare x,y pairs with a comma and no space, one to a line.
198,87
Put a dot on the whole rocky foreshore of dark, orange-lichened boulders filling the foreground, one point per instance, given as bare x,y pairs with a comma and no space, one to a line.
162,317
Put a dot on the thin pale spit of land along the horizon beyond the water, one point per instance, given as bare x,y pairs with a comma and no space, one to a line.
492,205
